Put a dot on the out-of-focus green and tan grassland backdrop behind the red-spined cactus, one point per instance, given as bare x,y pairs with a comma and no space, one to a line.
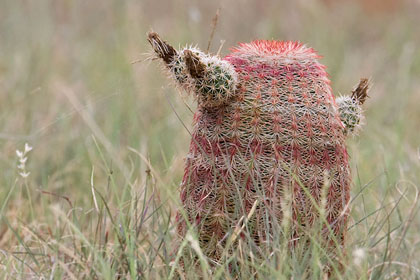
75,85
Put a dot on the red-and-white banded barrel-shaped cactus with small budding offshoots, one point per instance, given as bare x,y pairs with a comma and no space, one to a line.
267,129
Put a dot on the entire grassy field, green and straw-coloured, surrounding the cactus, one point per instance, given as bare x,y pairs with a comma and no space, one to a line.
108,136
